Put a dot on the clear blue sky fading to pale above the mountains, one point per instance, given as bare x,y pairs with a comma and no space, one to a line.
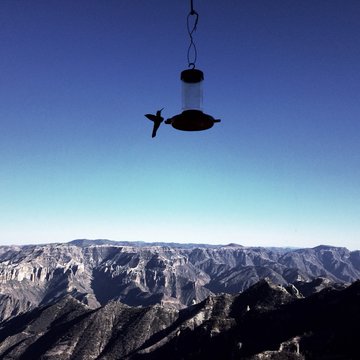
76,155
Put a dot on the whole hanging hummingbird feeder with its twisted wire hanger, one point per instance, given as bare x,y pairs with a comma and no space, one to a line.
192,117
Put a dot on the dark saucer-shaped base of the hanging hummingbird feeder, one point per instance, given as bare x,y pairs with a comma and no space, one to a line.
192,120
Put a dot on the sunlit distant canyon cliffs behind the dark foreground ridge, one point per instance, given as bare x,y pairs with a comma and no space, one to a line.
96,272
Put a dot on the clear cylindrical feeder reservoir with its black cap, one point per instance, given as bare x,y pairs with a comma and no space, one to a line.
192,92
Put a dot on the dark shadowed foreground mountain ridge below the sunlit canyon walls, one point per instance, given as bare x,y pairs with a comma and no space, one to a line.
266,321
